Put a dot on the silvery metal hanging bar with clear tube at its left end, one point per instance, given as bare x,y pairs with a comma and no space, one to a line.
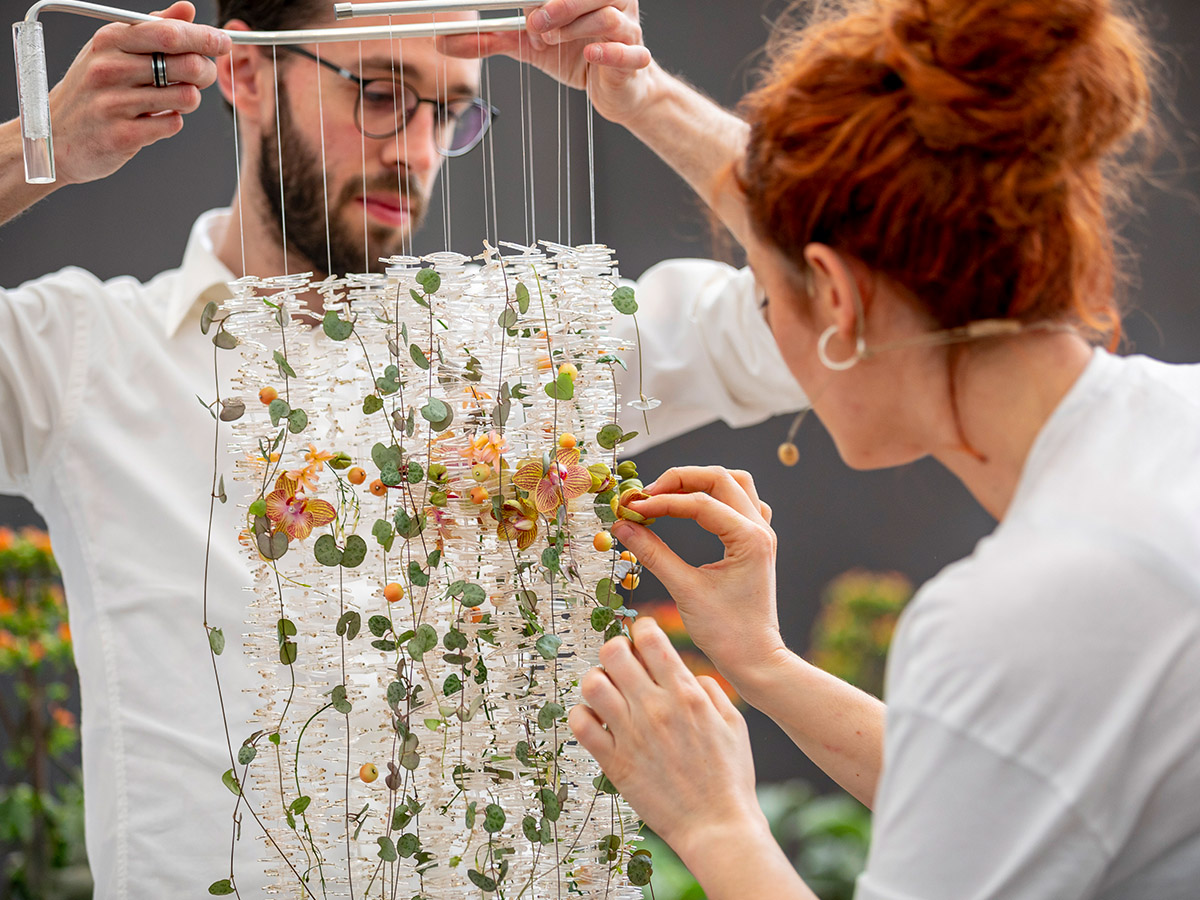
33,87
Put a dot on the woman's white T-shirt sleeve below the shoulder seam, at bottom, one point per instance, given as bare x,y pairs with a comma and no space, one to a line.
957,821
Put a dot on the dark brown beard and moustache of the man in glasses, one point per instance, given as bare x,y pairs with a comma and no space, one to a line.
328,241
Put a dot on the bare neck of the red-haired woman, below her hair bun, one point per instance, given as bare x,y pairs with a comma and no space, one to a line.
1006,394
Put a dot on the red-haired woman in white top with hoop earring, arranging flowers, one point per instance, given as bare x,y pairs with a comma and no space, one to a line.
929,184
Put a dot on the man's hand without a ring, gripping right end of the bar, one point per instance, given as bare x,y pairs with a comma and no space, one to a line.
565,38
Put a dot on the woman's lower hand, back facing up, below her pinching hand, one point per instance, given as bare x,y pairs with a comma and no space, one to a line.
655,728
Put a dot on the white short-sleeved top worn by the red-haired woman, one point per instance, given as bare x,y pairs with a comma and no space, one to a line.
1043,733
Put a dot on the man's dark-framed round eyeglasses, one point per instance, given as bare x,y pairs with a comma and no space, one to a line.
386,106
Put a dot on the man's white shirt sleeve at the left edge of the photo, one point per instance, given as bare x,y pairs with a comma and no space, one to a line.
43,357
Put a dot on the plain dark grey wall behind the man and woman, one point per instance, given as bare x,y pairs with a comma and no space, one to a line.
830,519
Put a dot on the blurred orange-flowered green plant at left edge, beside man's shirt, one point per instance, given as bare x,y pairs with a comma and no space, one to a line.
41,827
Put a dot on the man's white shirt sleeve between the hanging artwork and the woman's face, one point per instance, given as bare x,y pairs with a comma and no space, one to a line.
706,352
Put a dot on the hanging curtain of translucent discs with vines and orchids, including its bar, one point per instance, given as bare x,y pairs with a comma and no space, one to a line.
433,469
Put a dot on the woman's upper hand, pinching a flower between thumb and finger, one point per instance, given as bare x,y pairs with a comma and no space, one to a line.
729,607
